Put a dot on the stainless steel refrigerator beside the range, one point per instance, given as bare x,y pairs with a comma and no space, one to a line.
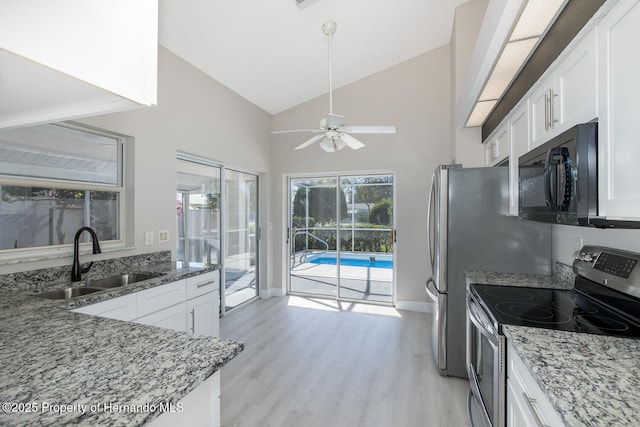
469,229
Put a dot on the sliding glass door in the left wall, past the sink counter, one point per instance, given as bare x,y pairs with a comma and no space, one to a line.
217,212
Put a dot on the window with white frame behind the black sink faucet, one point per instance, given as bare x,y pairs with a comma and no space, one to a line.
56,178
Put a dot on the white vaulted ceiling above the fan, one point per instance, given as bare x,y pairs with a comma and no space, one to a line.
273,52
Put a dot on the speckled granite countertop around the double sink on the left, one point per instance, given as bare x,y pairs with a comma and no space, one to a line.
72,368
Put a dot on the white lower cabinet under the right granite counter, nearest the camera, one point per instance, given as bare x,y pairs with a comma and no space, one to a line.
527,405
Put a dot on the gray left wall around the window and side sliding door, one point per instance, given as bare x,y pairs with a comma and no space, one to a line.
195,114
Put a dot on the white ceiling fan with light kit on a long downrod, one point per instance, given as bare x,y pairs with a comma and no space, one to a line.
332,133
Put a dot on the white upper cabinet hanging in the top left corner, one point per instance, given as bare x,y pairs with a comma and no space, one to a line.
74,58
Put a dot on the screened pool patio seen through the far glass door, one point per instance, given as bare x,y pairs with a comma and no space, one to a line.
341,237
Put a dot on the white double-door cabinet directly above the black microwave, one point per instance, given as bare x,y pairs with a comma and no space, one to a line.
567,96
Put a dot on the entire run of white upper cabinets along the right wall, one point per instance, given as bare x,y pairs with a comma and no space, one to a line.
596,79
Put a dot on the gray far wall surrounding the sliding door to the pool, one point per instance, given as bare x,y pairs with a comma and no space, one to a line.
414,96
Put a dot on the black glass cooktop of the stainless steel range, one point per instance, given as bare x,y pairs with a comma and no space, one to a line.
567,310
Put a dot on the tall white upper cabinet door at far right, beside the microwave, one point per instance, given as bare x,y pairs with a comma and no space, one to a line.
618,130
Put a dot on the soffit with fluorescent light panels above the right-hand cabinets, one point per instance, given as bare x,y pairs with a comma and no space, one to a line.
498,34
